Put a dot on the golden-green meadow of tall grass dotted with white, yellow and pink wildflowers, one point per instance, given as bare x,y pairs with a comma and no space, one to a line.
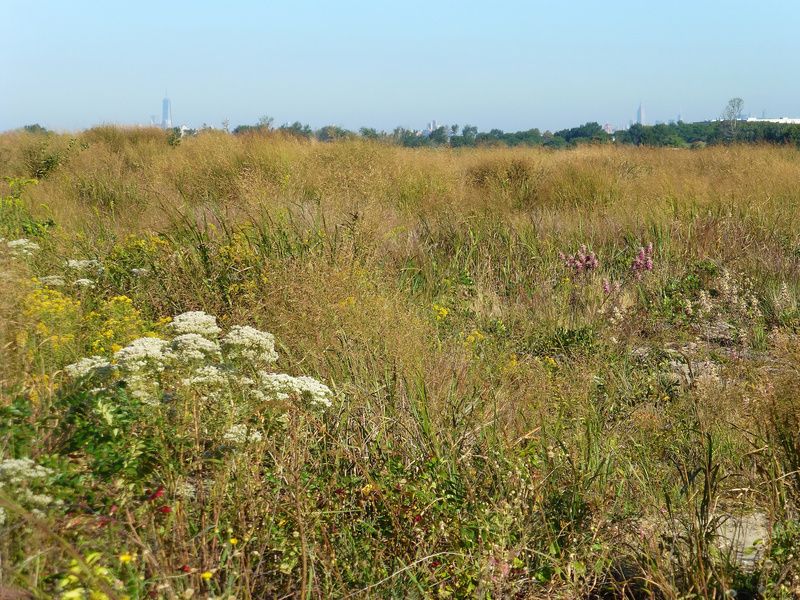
511,373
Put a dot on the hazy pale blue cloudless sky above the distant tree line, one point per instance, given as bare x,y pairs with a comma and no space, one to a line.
70,64
